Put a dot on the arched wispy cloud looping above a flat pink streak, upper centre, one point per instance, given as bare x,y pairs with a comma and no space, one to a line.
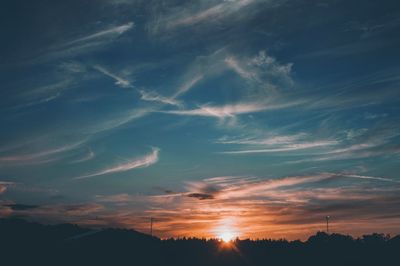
263,75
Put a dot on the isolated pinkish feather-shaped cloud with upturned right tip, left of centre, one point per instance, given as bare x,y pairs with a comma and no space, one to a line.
144,161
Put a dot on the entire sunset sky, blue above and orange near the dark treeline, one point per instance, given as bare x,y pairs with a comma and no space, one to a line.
249,118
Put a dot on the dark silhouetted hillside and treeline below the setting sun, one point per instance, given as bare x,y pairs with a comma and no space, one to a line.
24,243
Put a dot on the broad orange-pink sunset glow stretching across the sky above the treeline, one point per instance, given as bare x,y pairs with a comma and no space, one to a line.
243,208
